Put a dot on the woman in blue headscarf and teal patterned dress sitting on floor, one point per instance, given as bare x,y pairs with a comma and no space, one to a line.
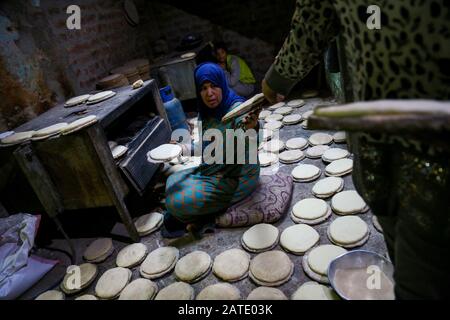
195,196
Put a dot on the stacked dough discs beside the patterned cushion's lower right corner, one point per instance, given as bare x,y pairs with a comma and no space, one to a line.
310,211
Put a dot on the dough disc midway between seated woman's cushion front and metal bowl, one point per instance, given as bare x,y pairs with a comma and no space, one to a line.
299,238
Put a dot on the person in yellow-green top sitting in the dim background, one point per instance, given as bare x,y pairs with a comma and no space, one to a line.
240,77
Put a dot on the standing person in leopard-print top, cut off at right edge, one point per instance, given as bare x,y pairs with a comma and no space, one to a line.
405,179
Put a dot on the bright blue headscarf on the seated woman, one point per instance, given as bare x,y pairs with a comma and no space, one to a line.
211,72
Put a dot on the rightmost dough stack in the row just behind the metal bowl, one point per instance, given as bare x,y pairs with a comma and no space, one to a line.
348,232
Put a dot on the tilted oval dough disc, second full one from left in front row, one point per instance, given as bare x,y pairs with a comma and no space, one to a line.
112,282
